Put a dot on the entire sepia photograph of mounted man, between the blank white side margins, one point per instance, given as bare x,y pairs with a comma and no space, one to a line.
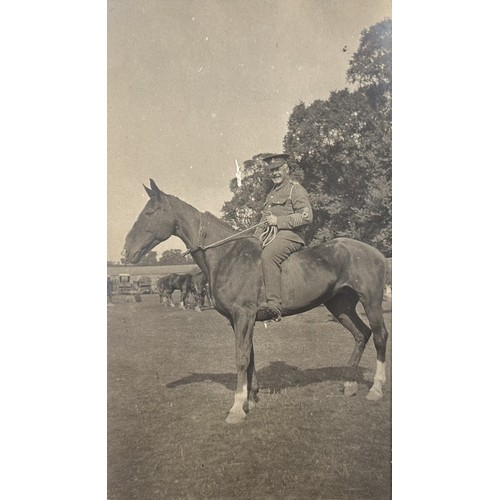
249,249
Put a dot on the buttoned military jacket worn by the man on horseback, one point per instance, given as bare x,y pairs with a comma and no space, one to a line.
289,202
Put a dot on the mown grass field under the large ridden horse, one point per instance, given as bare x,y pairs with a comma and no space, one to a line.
171,382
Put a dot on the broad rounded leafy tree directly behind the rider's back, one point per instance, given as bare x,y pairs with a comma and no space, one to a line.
342,151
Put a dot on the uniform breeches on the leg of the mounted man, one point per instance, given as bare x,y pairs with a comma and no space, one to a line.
273,256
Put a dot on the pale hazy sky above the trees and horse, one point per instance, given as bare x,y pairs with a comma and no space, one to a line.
194,85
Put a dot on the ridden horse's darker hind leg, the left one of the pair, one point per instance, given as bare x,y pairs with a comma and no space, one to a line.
343,307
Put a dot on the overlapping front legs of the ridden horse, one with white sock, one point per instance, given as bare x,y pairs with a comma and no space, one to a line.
243,324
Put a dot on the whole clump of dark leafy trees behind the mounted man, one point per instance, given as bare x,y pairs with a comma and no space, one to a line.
340,151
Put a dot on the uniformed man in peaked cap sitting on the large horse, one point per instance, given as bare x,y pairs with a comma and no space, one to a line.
287,211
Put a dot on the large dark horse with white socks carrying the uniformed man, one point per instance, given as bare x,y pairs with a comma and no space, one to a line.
338,274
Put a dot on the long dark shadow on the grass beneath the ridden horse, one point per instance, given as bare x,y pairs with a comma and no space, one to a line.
276,377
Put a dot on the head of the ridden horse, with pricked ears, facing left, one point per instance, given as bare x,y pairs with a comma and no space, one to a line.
154,225
